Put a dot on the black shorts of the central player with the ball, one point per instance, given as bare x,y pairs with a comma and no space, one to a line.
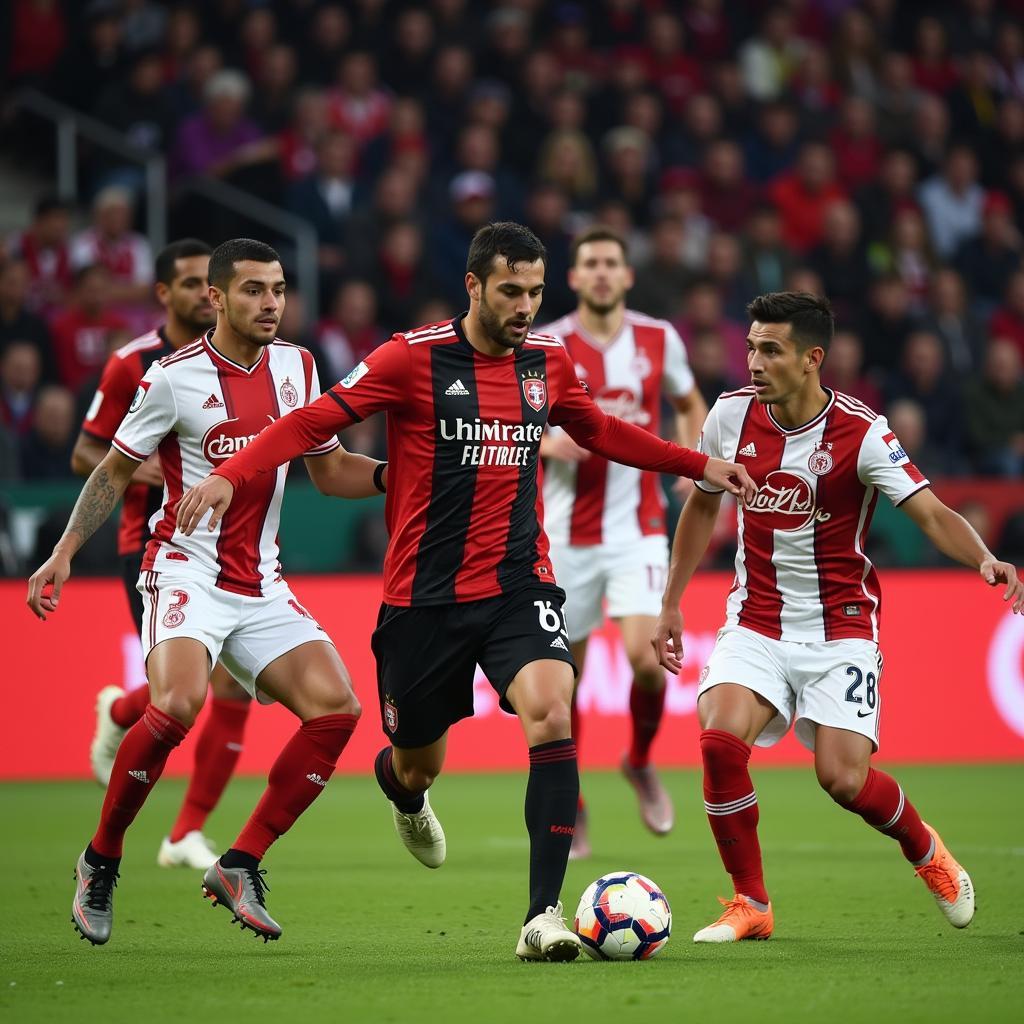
428,657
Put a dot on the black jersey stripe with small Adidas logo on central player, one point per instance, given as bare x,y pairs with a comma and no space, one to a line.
453,486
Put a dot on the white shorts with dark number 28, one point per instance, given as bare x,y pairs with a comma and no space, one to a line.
834,684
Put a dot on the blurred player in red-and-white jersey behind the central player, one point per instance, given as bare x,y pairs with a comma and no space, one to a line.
607,522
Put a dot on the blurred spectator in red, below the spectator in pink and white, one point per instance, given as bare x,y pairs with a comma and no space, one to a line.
80,332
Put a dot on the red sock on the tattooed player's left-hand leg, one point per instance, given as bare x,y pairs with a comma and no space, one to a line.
139,764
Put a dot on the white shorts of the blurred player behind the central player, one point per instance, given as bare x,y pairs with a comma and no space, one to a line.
632,577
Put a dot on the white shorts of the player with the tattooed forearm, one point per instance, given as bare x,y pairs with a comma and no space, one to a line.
245,634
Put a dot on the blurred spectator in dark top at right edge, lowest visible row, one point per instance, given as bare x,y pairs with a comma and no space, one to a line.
995,413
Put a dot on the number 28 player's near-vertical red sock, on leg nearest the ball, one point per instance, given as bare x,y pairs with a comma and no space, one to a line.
733,810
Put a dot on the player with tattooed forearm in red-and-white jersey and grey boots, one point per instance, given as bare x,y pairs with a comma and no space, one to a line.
218,595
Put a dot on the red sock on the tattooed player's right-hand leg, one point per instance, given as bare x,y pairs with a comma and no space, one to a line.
297,779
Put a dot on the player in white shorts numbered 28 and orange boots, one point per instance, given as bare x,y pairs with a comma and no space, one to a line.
800,643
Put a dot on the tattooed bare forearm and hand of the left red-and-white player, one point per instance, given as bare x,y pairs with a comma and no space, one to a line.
100,496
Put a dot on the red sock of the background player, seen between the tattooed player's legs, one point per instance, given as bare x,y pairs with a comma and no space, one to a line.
218,752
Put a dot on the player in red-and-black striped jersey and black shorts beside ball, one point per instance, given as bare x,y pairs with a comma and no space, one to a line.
467,576
